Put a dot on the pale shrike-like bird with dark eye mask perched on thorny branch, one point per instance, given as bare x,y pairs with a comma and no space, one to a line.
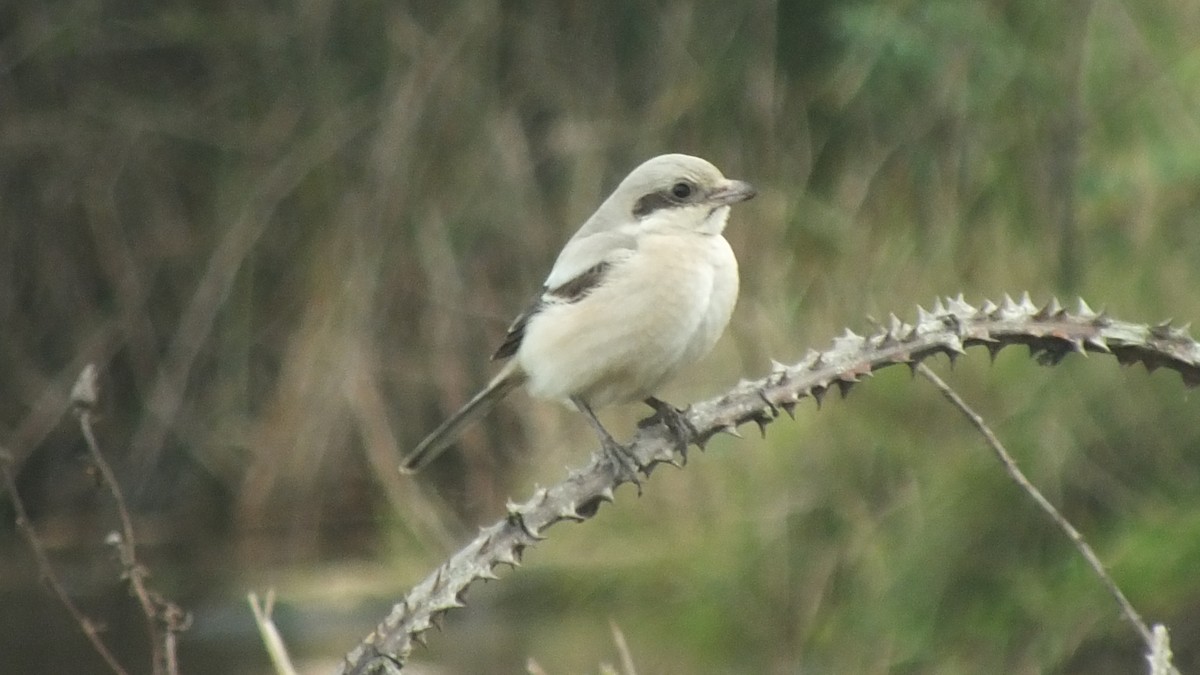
644,290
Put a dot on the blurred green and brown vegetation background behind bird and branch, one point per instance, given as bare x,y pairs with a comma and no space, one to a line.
290,235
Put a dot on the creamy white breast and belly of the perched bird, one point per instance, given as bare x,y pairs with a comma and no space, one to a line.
655,314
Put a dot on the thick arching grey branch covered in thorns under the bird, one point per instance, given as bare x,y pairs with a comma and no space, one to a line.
1049,332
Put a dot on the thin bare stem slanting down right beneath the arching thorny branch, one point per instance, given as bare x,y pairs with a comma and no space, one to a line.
1077,539
